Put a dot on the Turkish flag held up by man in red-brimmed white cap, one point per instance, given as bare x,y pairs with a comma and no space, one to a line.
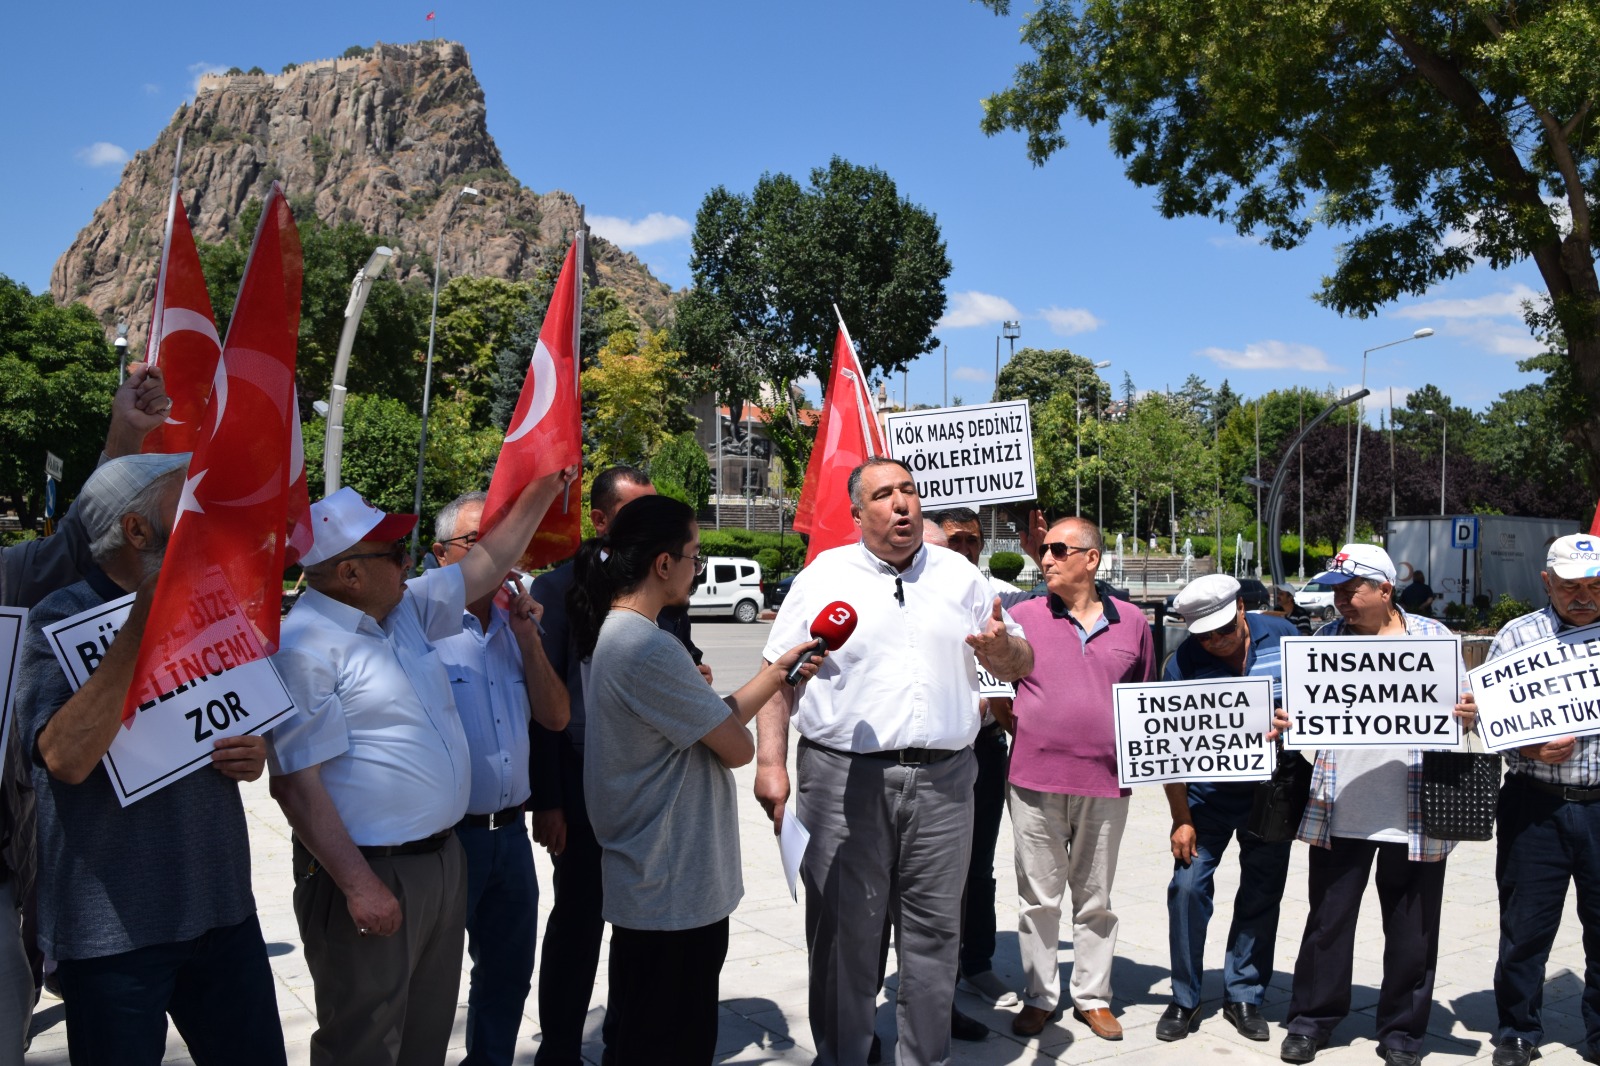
546,430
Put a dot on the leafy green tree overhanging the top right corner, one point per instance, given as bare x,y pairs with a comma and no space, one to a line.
1430,134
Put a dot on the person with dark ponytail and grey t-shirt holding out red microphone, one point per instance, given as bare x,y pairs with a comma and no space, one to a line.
658,783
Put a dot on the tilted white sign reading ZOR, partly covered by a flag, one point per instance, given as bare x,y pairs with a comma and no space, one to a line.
170,735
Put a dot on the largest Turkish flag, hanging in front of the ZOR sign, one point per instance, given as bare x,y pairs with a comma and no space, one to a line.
222,587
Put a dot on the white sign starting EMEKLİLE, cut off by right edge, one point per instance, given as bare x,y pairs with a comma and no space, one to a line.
1542,691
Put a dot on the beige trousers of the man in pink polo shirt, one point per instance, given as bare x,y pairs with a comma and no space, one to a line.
1066,843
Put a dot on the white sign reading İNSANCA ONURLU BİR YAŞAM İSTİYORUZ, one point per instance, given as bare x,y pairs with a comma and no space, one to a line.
1198,731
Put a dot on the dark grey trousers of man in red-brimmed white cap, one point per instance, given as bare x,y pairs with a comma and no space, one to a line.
385,1001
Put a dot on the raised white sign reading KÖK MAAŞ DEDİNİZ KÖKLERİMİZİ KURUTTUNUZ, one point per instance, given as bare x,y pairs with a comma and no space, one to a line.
966,455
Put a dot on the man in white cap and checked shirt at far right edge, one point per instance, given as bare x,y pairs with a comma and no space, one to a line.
1550,828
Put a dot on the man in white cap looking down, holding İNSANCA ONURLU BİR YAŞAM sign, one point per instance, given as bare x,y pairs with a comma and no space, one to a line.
1225,641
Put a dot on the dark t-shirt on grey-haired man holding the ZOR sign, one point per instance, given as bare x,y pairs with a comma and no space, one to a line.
111,880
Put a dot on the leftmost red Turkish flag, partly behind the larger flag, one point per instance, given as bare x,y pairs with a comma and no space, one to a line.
183,335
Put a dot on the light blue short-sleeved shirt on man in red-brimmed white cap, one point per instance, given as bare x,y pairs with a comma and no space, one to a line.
375,711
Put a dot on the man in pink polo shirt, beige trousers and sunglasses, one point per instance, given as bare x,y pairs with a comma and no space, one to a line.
1068,812
